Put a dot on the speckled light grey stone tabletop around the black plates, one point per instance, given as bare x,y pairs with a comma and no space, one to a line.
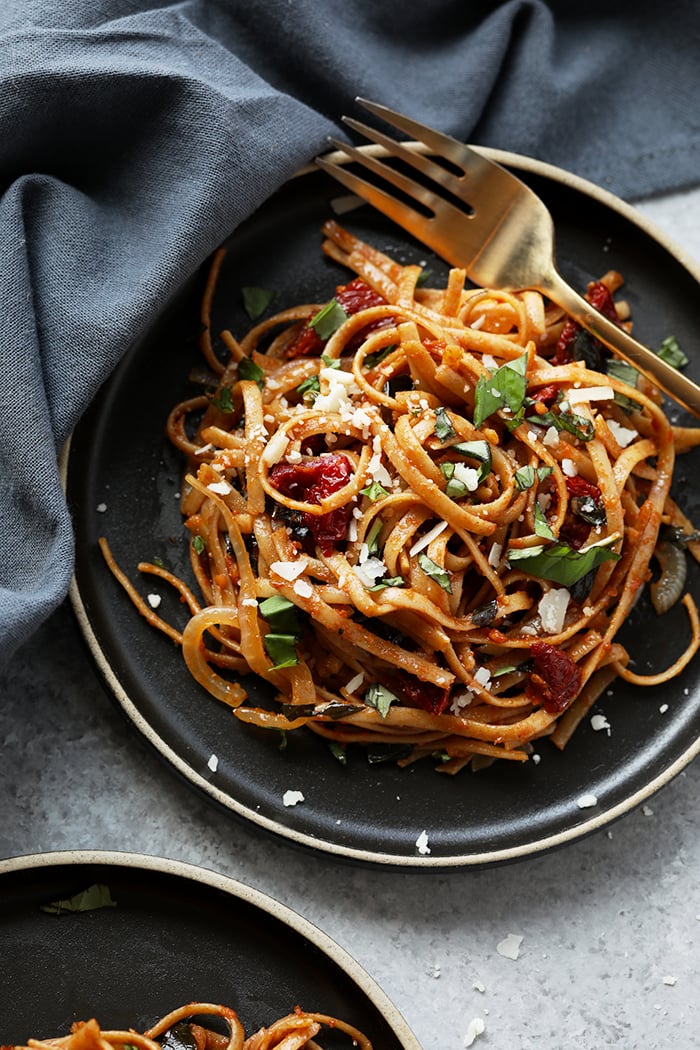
610,927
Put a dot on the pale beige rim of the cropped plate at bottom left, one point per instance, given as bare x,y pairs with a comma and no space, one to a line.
239,891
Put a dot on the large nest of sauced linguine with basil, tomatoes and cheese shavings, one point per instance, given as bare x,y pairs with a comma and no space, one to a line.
422,515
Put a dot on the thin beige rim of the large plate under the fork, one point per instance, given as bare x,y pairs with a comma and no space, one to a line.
303,839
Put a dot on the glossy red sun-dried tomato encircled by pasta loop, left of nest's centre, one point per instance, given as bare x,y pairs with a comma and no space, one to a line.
310,482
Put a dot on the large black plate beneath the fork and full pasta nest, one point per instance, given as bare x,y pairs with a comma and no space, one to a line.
119,457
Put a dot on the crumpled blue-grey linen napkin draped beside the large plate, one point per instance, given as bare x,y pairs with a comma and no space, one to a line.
135,137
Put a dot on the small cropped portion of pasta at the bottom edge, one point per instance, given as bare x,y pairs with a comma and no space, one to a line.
295,1032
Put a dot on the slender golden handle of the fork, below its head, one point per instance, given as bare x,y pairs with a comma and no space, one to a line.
657,371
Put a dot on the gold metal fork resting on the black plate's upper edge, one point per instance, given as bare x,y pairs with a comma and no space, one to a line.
504,239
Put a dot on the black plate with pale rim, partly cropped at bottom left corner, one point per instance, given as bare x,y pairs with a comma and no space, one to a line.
178,935
